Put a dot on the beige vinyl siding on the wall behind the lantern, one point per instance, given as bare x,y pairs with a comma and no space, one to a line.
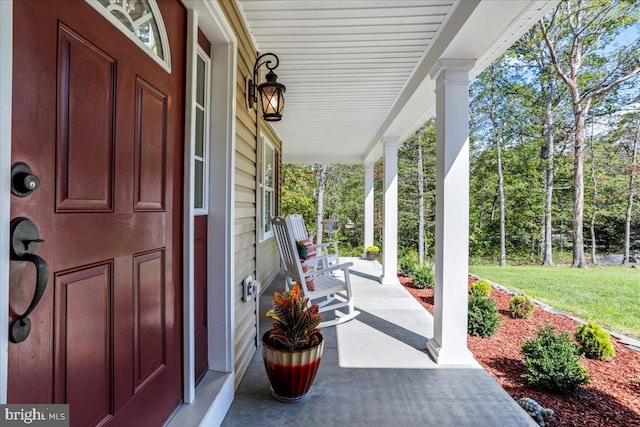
250,259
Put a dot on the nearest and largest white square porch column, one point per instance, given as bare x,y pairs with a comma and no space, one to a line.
449,344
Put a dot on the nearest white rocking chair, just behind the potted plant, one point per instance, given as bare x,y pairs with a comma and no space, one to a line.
334,292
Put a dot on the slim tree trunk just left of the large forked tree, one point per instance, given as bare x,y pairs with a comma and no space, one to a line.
549,152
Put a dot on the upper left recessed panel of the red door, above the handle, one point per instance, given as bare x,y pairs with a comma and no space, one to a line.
86,94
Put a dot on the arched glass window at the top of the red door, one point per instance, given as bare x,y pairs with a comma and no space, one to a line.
142,22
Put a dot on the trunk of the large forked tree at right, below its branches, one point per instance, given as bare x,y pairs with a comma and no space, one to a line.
578,190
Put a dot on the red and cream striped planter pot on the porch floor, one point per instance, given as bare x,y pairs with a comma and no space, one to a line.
291,373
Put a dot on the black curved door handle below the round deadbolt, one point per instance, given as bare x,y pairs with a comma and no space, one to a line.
24,242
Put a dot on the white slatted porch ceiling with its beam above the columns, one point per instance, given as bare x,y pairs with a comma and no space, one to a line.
357,71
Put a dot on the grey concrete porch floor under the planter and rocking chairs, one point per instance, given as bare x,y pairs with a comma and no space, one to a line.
375,371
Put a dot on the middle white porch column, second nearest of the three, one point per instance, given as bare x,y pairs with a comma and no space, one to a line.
390,221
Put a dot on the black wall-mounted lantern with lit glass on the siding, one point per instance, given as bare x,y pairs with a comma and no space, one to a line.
271,92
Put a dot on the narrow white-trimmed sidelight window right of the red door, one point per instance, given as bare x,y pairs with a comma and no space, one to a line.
202,113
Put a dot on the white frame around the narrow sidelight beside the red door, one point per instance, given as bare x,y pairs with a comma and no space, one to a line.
209,17
